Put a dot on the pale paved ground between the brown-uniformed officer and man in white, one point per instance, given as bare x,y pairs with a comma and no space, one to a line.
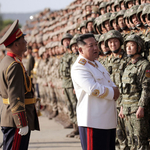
52,137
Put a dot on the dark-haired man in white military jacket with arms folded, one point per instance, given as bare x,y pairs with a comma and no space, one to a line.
96,94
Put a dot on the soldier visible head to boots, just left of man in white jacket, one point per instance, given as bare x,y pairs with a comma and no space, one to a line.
65,68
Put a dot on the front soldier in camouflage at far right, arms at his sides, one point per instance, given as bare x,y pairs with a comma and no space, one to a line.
135,94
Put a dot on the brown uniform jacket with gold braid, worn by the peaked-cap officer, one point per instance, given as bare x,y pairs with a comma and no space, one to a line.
15,88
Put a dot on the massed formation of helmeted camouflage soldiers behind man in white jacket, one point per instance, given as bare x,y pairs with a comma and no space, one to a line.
117,25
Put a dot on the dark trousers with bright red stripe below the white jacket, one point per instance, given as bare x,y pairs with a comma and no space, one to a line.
97,139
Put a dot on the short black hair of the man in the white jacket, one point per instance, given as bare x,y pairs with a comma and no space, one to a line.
83,37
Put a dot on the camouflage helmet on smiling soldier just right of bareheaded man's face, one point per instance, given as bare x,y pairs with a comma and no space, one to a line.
113,34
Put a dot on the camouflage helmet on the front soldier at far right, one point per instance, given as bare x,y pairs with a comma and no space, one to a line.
135,38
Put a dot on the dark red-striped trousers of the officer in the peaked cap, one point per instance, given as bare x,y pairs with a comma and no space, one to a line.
14,141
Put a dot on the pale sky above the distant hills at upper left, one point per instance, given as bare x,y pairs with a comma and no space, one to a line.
27,6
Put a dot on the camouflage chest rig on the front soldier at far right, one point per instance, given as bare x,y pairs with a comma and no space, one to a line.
131,85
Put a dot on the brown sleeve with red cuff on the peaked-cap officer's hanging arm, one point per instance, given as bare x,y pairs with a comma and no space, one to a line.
16,94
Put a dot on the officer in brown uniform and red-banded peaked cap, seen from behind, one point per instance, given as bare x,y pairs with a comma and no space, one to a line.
18,115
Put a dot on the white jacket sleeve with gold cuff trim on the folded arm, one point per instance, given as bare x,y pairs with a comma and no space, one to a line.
84,79
